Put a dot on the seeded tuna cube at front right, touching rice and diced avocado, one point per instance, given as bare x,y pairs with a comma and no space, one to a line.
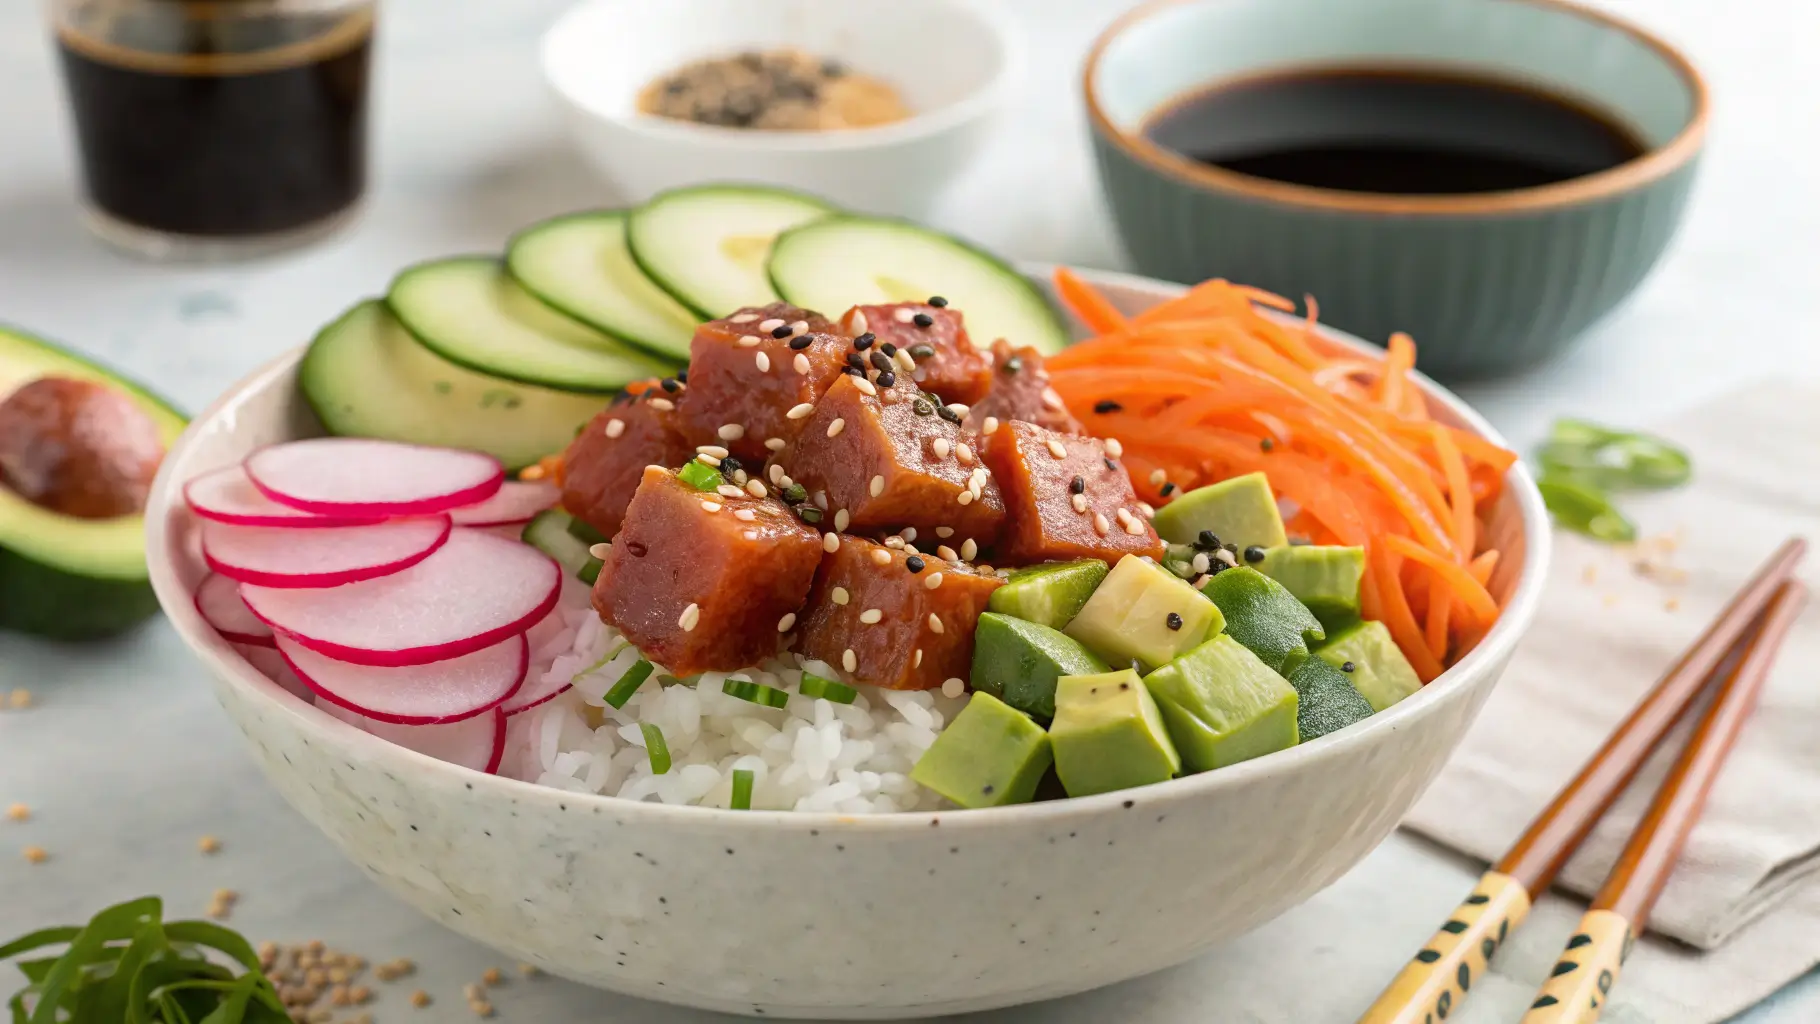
876,617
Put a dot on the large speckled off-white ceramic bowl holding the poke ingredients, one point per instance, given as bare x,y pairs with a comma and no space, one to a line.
827,916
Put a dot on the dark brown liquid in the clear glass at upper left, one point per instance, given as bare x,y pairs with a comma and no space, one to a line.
228,128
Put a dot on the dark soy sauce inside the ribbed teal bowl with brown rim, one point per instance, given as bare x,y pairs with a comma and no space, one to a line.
1406,132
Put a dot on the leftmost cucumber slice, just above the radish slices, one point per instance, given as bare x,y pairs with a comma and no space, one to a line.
367,377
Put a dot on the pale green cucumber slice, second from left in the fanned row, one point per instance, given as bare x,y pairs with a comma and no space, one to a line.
470,312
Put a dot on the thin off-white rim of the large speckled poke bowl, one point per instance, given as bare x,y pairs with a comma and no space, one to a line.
1497,645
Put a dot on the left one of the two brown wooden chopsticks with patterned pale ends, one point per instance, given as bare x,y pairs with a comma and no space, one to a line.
1439,979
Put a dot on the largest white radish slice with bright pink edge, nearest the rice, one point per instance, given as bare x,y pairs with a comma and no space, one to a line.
470,594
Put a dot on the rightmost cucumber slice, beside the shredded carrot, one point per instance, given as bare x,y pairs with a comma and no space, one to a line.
854,261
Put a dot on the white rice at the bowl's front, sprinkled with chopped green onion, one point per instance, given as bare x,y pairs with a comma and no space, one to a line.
811,756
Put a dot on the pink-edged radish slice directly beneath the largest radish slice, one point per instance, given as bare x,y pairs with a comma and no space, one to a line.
416,696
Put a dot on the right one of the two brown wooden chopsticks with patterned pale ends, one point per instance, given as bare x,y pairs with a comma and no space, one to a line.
1582,978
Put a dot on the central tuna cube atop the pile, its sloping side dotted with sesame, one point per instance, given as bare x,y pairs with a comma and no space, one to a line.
895,457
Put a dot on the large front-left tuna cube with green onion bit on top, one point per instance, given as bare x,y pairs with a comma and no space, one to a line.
702,581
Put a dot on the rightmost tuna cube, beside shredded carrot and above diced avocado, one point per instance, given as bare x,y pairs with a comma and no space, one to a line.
1066,499
